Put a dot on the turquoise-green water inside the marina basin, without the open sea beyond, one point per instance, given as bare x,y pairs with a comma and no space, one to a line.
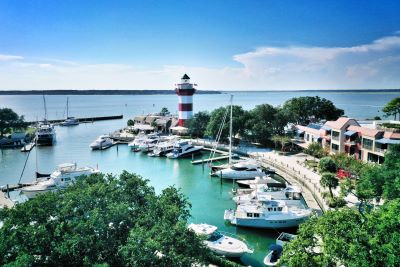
208,196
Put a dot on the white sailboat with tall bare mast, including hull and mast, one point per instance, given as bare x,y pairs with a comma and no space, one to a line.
240,170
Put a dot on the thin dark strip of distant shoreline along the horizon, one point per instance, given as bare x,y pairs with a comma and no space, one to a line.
171,92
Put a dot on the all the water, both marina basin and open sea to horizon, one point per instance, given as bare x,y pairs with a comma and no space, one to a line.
208,196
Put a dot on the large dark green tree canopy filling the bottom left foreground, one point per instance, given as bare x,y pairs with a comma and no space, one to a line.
107,220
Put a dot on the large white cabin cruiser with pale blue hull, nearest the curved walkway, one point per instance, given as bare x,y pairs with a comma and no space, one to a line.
267,214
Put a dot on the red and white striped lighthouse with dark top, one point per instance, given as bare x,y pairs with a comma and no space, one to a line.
185,91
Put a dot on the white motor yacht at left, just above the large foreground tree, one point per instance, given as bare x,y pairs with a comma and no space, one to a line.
64,175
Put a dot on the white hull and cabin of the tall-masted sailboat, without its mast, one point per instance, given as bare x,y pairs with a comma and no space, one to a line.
241,170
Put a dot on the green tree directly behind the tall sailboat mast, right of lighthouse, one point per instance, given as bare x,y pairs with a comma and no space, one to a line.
240,116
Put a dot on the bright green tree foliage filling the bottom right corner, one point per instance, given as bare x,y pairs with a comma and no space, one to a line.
345,237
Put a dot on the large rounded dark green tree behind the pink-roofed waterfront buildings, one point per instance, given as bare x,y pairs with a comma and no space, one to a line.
302,110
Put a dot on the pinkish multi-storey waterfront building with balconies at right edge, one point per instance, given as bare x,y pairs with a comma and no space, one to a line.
367,141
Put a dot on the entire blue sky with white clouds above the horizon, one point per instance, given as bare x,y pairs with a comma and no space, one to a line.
221,44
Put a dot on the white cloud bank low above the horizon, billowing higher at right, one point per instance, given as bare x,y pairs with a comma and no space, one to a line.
372,65
